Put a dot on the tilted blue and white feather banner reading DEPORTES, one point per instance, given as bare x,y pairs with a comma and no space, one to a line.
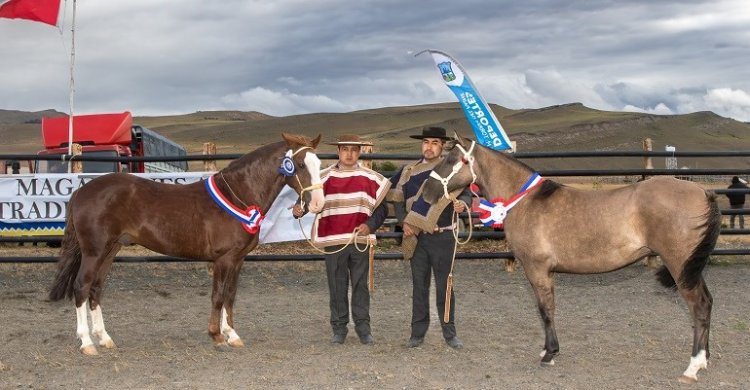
486,127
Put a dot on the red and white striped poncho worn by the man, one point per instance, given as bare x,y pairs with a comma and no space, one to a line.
351,195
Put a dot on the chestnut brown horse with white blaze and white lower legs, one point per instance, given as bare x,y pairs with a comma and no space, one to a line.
190,221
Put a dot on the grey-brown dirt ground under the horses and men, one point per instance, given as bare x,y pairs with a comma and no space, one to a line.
620,330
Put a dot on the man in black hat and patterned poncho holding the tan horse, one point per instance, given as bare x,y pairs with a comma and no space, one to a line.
428,237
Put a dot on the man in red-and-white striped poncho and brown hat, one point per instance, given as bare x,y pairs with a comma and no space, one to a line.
353,194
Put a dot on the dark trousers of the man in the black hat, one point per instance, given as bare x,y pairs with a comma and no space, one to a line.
434,254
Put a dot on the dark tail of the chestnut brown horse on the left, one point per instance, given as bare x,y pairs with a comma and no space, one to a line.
68,265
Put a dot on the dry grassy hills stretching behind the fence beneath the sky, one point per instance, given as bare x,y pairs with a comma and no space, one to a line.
558,128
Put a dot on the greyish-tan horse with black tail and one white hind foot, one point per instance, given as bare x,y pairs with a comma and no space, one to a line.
555,228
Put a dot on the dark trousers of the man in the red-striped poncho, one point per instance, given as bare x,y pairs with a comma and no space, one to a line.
340,267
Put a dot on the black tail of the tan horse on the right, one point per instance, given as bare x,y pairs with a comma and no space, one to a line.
691,272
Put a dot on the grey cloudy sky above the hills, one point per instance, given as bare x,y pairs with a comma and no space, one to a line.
290,57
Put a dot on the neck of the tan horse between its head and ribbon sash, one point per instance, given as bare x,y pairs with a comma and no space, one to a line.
500,176
